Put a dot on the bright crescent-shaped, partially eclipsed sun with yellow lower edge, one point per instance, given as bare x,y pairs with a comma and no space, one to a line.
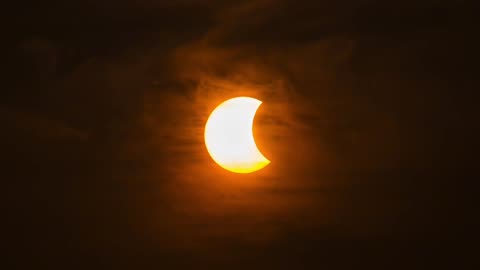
229,136
